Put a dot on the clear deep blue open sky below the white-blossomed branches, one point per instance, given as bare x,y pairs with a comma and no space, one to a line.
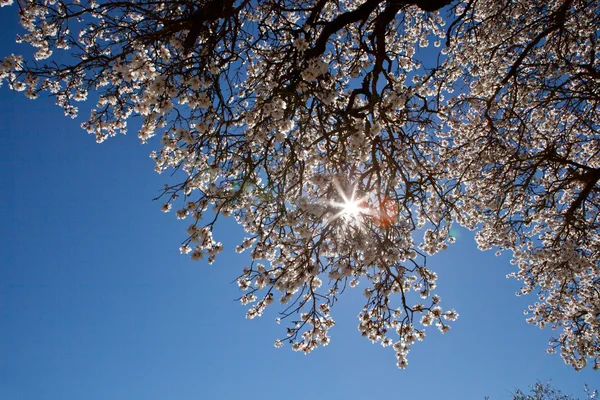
97,303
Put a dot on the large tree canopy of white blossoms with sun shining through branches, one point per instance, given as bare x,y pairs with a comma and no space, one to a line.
346,137
